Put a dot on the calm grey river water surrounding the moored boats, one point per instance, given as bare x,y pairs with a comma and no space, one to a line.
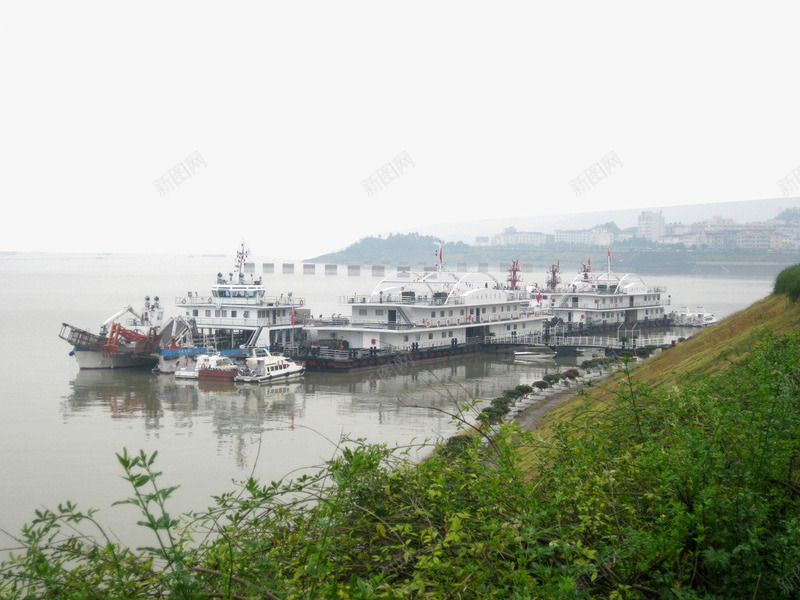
60,427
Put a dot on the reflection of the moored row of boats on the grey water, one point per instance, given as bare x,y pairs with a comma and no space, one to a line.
396,404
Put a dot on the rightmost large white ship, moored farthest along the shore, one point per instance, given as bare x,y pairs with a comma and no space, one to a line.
604,301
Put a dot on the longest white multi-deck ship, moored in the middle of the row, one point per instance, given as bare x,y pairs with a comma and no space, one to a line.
421,315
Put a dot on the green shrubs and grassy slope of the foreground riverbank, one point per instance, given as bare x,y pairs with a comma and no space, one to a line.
678,479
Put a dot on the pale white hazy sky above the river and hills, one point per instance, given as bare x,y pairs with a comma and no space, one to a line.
300,127
